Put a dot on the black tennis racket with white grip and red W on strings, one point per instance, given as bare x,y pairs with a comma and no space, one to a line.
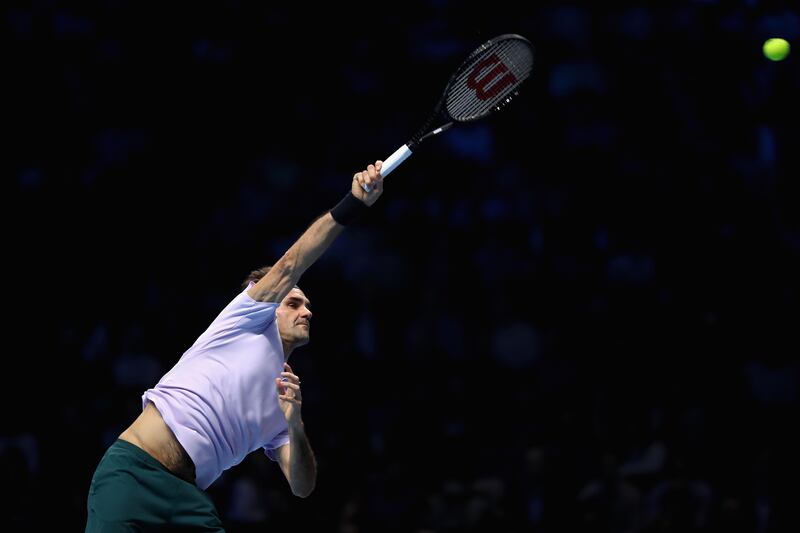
484,83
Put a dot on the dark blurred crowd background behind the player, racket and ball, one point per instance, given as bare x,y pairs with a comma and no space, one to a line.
578,315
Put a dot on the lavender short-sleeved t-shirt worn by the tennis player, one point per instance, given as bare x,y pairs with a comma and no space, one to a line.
220,398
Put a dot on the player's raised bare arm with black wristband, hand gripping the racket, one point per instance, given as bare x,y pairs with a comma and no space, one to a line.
286,272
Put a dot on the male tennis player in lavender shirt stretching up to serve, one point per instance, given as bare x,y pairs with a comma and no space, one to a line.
231,393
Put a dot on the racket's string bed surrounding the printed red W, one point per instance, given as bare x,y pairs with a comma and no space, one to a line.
463,103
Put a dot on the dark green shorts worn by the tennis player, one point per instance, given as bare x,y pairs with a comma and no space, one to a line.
131,491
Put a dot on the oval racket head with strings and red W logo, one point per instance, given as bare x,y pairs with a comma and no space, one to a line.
489,78
